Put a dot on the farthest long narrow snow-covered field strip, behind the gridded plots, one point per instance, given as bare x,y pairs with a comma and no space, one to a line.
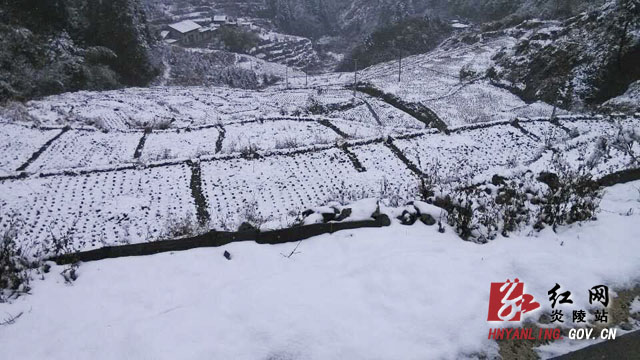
180,107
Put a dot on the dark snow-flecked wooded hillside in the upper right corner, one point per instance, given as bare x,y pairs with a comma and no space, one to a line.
578,63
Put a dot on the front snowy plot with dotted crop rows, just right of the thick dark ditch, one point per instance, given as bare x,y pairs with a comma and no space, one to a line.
273,187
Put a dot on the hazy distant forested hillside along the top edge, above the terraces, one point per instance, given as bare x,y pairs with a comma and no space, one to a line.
314,18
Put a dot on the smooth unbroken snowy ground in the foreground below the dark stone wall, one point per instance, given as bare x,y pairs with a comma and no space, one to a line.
392,293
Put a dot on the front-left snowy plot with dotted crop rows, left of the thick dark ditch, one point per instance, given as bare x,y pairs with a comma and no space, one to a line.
101,208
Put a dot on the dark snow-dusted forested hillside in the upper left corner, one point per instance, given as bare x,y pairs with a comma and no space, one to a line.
53,46
